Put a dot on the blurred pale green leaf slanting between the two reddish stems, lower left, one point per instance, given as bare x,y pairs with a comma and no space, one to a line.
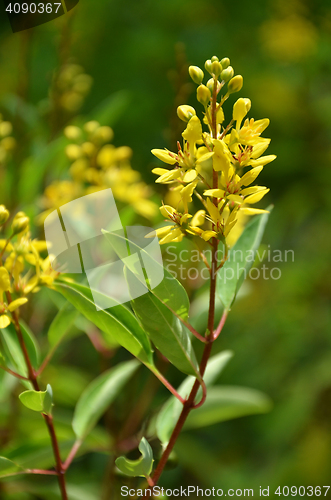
99,395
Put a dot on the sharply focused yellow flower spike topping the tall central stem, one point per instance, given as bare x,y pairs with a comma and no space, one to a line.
218,165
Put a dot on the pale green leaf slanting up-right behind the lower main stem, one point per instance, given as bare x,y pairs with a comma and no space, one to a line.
170,412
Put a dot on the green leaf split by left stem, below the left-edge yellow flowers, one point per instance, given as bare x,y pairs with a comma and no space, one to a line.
13,351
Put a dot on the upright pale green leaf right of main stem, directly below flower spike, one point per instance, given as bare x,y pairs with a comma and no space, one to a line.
240,260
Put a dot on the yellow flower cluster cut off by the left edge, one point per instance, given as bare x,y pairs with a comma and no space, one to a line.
22,270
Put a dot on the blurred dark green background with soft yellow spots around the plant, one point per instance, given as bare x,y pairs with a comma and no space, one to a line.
280,330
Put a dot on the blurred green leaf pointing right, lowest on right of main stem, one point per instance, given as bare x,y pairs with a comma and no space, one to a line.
226,403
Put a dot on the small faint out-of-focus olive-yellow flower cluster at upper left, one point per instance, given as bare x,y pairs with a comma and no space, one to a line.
70,87
